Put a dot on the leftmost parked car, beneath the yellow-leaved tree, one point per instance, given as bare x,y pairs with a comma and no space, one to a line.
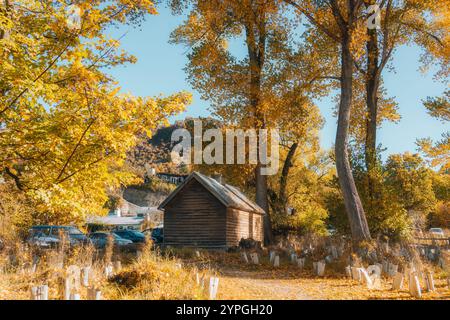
50,236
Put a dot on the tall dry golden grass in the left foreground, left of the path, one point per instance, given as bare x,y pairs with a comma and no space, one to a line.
149,276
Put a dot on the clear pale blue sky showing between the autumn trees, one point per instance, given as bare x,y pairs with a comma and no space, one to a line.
159,70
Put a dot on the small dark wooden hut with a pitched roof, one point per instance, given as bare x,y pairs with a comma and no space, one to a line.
205,213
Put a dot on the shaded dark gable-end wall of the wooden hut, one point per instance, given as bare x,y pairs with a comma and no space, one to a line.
195,218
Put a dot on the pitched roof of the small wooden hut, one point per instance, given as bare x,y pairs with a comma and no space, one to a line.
228,195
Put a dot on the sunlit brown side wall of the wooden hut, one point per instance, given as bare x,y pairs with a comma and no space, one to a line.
242,224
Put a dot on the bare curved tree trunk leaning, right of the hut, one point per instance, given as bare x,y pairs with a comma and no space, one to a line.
358,223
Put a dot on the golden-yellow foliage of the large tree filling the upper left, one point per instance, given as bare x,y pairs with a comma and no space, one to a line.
67,127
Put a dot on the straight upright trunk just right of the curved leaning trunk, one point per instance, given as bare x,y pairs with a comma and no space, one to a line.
372,87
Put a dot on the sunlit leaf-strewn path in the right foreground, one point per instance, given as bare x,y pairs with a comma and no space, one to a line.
267,285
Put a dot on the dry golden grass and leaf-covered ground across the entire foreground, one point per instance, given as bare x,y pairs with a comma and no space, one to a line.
172,274
